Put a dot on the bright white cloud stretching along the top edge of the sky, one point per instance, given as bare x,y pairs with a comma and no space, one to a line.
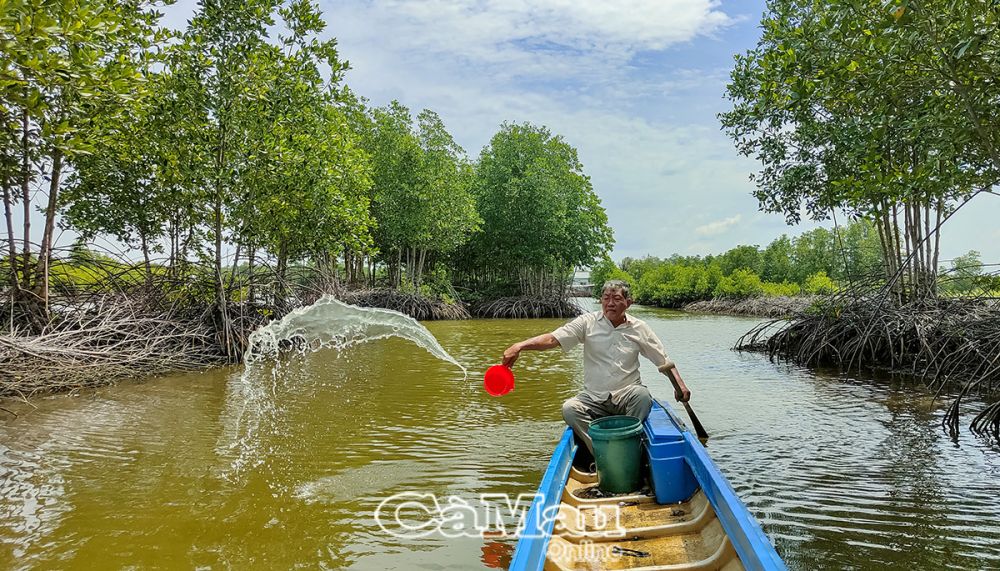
522,38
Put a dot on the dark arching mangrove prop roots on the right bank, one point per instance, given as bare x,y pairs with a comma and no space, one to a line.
943,341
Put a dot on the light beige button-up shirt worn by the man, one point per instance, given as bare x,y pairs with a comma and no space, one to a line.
611,354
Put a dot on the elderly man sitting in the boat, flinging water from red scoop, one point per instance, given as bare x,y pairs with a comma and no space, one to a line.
612,342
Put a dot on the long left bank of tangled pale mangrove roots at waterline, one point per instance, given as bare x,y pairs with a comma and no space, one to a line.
100,339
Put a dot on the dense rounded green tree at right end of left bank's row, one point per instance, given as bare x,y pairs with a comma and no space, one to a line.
537,208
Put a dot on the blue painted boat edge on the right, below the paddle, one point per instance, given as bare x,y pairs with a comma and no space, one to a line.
748,538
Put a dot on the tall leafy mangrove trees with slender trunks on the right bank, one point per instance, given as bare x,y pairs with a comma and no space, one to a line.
879,109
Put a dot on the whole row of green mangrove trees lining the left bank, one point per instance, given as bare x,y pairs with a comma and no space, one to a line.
236,138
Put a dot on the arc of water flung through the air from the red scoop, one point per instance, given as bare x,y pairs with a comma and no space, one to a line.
253,406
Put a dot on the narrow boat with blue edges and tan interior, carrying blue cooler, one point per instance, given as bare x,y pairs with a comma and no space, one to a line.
691,520
